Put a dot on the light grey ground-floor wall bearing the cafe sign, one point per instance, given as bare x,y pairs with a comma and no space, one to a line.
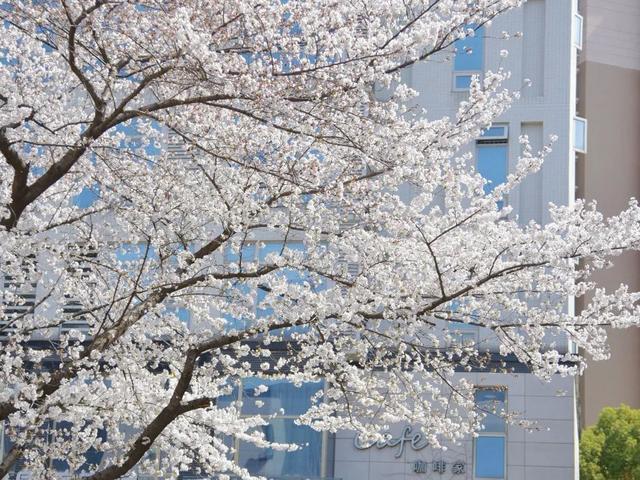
544,452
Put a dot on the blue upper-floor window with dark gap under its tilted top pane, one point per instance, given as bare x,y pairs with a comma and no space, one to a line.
492,157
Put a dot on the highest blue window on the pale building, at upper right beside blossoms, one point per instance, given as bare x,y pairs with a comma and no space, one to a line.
469,59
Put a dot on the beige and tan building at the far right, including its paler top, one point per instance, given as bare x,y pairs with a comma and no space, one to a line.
609,172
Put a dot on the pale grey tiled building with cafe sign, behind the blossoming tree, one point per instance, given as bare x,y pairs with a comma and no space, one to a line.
543,65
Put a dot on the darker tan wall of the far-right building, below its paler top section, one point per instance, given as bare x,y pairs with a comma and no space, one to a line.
610,173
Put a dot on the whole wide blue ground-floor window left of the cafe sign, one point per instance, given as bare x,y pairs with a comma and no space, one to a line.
286,402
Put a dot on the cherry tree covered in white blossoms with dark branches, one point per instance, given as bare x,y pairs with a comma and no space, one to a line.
151,149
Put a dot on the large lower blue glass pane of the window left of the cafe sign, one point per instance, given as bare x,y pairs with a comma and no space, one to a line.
271,463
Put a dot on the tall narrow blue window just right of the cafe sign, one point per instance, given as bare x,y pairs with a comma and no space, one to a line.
489,452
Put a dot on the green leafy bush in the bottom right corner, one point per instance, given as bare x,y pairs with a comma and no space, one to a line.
610,450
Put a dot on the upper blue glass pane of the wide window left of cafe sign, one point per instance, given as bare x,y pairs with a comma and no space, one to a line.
280,395
